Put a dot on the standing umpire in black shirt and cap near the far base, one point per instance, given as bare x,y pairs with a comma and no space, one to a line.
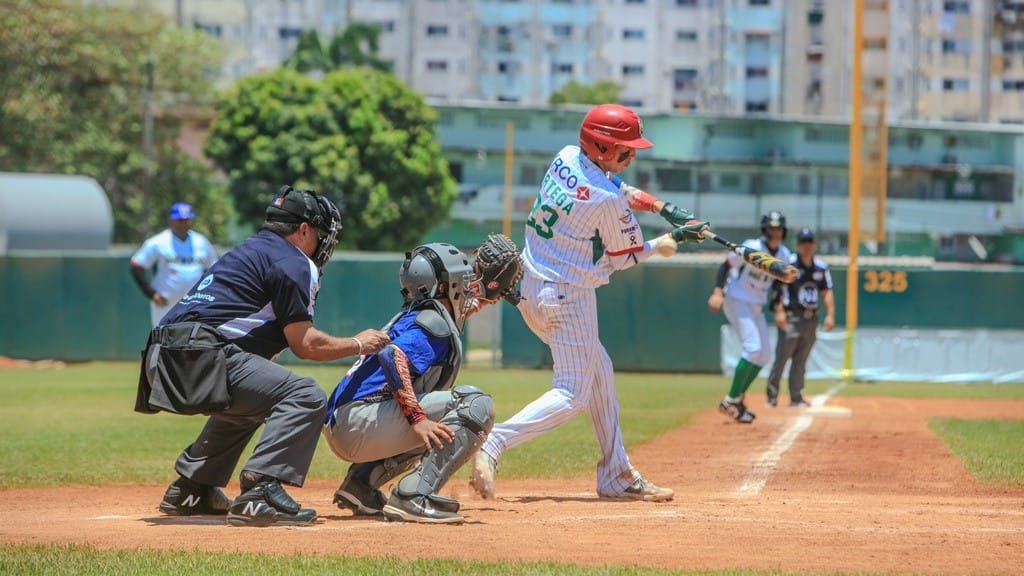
797,318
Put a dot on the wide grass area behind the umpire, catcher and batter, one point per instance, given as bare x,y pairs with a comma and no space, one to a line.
76,426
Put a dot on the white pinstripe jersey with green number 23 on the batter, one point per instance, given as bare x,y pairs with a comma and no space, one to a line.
581,229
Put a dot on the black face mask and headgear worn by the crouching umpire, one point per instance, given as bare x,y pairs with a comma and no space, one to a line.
296,207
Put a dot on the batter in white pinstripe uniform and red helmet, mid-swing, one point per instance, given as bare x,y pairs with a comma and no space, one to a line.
581,230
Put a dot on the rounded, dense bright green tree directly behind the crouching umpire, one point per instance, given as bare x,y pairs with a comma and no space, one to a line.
359,136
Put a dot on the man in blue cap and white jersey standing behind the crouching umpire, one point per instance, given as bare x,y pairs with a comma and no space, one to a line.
182,257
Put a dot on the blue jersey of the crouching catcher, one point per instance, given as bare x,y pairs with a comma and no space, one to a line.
366,381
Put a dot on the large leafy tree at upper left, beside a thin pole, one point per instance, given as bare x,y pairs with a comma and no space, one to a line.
72,79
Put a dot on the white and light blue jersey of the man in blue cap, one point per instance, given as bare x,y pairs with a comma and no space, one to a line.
181,264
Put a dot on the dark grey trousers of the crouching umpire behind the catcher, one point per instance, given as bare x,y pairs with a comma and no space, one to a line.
293,408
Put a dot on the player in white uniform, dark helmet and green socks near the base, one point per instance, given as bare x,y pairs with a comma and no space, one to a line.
743,292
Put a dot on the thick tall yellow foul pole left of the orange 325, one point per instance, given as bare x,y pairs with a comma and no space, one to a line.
857,157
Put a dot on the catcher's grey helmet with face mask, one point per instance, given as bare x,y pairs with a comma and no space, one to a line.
439,271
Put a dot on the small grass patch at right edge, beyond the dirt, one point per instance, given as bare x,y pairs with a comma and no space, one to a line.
990,449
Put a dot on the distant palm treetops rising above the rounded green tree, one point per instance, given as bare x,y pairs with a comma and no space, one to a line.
358,45
